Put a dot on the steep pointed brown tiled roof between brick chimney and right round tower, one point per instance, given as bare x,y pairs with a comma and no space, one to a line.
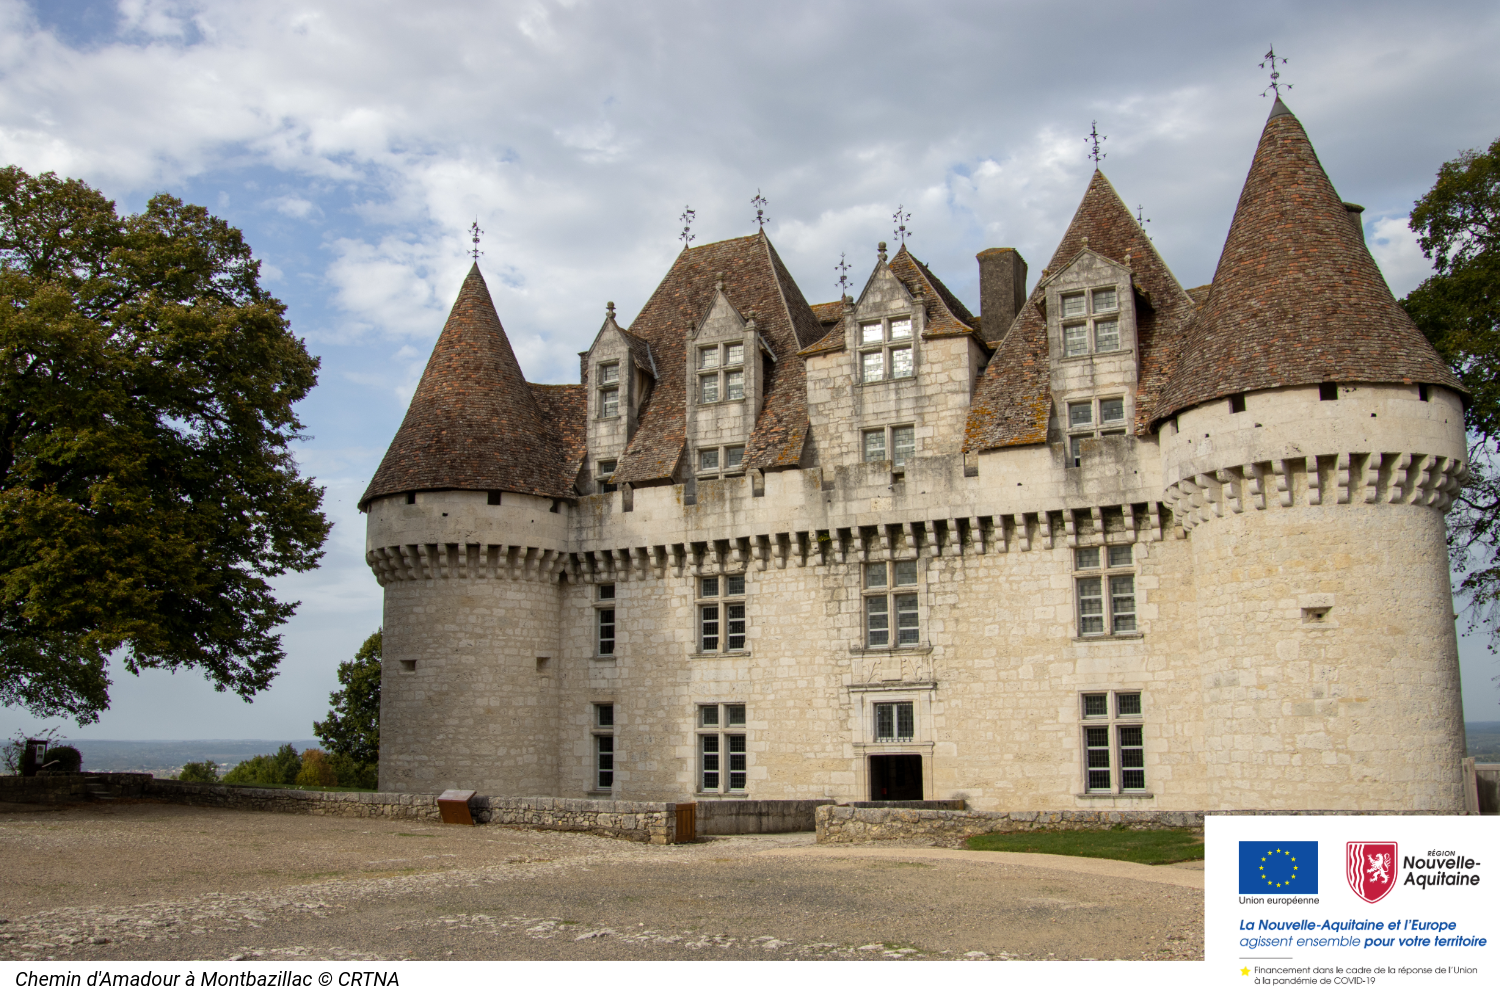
1015,400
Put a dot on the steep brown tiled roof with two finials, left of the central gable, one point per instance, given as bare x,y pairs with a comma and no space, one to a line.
754,278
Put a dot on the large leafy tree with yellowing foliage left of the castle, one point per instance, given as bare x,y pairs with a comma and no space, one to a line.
148,490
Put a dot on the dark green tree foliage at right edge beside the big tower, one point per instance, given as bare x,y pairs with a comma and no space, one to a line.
1459,310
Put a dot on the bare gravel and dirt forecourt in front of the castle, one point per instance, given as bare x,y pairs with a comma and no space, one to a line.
164,882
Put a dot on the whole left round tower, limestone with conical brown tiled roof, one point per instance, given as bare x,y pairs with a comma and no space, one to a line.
467,537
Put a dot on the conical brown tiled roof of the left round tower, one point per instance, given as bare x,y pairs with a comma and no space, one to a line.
473,424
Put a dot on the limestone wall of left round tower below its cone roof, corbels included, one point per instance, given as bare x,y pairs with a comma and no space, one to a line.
472,636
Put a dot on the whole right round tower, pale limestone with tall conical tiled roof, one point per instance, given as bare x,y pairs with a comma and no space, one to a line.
1312,443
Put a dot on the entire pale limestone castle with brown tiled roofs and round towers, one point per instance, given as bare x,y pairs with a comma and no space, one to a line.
1108,545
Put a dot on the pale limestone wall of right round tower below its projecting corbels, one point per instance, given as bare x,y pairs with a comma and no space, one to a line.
1330,663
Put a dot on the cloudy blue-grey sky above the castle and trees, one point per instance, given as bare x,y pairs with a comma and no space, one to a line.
355,143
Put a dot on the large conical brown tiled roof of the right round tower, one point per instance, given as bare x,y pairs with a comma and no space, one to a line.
1297,298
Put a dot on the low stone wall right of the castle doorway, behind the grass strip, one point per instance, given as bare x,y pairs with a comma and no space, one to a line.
856,825
